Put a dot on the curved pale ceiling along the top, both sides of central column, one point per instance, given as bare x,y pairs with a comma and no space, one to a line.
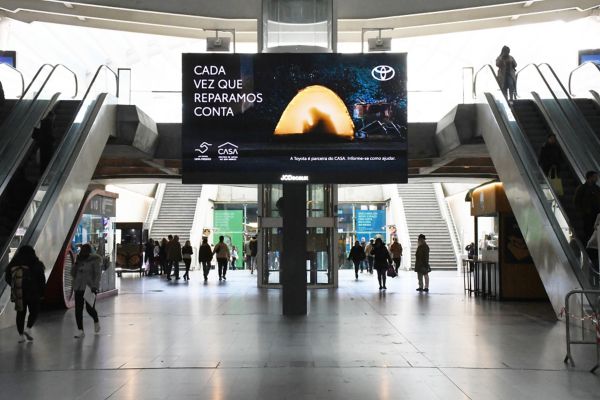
198,18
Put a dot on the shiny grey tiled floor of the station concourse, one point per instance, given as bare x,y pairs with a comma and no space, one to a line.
229,341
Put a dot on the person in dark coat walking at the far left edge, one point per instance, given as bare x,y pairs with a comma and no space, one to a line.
25,276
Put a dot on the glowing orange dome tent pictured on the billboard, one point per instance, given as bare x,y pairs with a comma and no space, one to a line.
316,110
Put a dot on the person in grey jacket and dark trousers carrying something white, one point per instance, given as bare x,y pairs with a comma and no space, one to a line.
86,273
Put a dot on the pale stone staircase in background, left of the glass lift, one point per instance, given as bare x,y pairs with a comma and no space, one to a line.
176,214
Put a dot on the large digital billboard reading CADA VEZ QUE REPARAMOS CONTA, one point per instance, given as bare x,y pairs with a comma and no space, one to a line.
321,118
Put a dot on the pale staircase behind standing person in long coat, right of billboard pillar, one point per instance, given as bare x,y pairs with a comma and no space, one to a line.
423,215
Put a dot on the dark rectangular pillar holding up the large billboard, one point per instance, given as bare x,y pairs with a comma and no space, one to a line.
293,255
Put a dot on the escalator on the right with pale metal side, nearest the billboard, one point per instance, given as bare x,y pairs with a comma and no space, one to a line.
514,134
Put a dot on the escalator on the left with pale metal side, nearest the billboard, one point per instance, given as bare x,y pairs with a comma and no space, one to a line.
44,213
